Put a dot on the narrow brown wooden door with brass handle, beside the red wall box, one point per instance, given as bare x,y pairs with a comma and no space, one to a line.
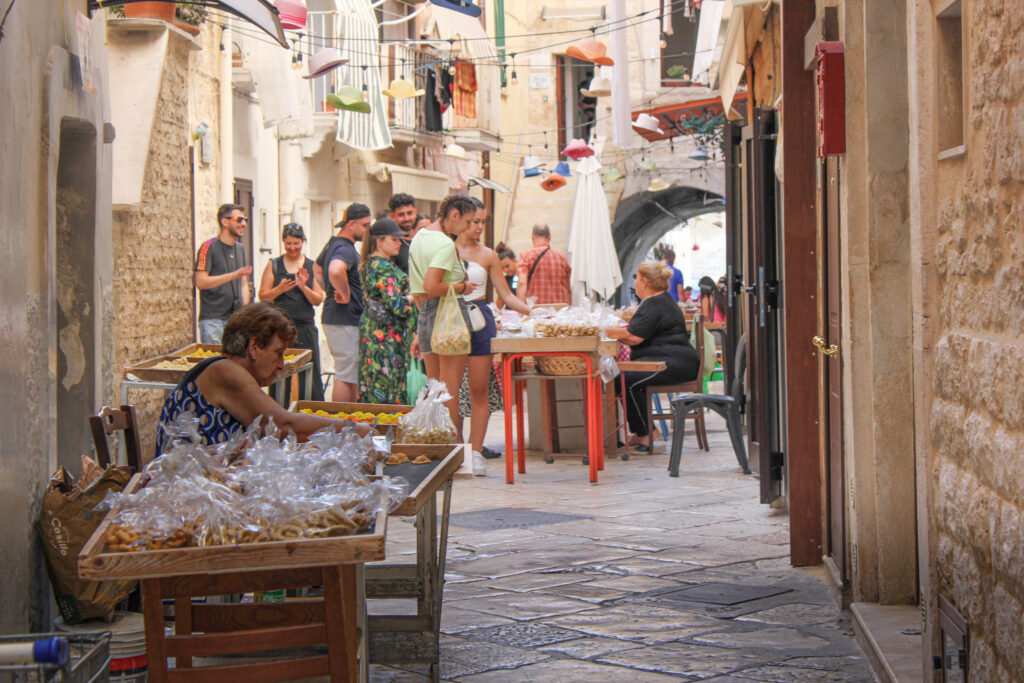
832,376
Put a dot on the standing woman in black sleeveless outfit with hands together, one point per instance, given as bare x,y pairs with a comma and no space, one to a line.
288,282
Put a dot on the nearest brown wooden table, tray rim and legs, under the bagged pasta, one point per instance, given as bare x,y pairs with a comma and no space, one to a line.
207,630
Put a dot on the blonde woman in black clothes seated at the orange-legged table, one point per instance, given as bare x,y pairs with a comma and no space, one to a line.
658,332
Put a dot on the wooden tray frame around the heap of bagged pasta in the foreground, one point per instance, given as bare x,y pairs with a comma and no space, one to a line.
96,563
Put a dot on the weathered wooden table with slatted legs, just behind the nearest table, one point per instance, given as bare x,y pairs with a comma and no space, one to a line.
416,638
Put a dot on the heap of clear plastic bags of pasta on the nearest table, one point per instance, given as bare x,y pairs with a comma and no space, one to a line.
255,488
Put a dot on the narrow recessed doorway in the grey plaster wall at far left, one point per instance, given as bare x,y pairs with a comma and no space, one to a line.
74,290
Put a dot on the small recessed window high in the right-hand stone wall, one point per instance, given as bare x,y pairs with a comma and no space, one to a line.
950,75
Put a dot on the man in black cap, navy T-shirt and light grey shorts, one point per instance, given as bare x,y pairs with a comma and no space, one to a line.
338,271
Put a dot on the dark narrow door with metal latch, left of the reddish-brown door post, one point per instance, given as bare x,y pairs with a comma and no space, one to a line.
761,304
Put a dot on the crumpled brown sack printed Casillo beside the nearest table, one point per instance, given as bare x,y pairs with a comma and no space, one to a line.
66,523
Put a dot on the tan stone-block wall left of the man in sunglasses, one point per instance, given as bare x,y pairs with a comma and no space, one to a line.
153,246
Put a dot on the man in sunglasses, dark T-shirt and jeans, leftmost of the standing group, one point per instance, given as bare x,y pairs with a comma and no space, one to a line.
223,274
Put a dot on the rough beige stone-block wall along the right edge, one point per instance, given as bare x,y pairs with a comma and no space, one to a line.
977,414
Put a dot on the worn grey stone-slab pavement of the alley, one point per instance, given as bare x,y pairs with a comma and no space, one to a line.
639,578
